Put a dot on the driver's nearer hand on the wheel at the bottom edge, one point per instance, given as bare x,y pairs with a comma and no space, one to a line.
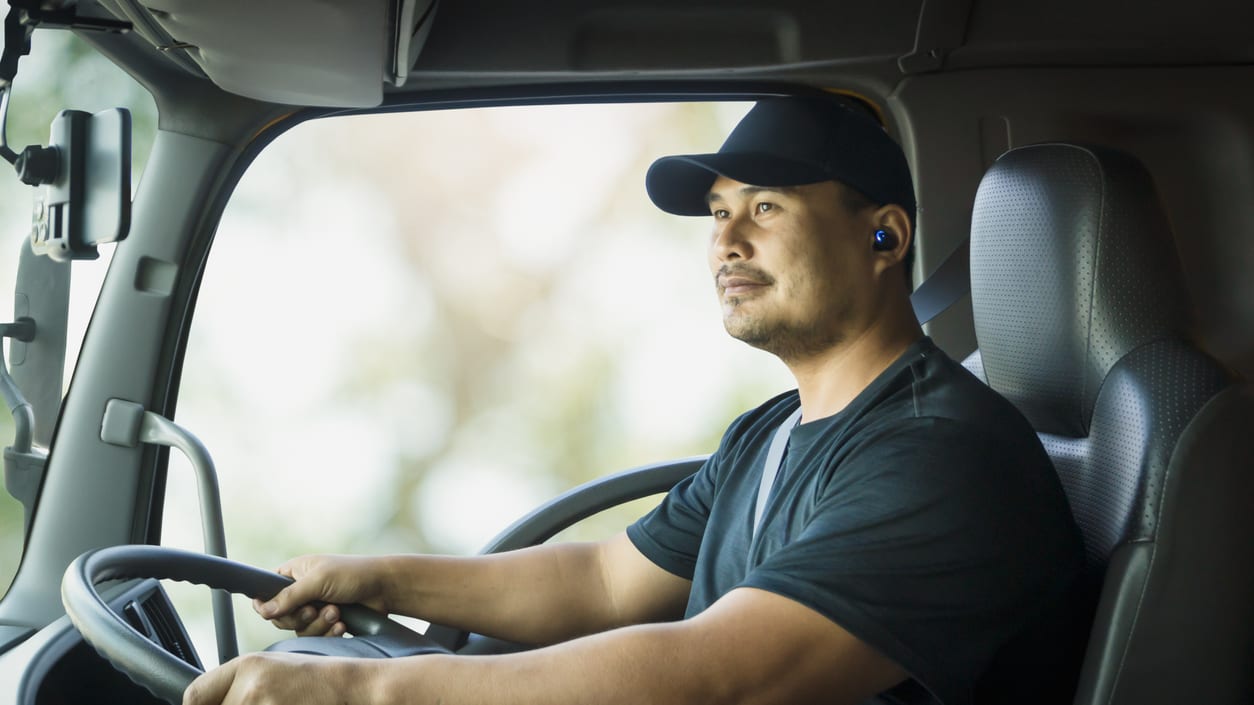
264,679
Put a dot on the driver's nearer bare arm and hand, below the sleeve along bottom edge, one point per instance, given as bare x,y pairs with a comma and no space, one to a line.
752,647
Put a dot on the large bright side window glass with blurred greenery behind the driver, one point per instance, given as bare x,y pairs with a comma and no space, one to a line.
416,328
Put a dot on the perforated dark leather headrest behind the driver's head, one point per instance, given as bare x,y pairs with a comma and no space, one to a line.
1073,267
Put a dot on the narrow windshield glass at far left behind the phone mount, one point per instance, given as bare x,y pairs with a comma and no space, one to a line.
61,73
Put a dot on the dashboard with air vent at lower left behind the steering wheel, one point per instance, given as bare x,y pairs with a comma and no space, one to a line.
56,667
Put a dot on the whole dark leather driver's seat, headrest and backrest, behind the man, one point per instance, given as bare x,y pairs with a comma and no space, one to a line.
1083,322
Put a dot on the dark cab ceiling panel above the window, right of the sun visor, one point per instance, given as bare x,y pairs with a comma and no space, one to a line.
581,36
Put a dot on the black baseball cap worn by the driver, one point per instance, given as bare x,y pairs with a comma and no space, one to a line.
791,142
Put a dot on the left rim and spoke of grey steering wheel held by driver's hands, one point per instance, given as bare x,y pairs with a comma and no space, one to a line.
166,676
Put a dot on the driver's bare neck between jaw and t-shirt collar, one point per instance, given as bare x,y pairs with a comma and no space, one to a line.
831,381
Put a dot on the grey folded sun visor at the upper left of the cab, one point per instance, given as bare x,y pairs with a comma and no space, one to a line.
325,53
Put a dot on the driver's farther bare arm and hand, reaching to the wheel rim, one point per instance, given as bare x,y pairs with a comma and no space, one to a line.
541,595
